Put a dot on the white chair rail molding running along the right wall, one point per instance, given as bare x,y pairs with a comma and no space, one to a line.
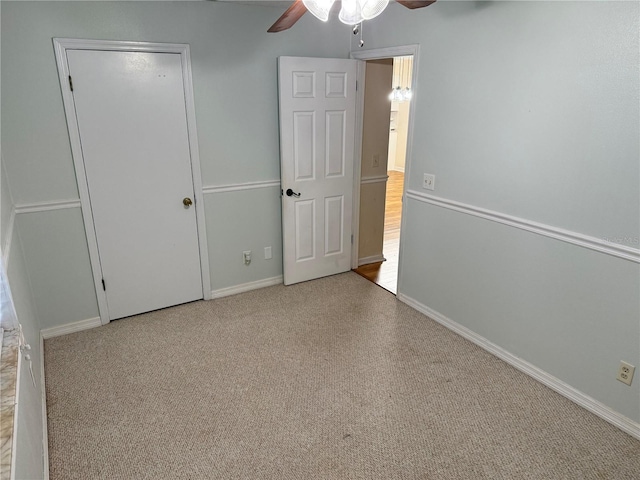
597,244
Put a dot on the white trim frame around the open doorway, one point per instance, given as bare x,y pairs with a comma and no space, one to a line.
376,54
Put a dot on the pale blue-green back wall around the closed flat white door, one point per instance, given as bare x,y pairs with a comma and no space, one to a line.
235,86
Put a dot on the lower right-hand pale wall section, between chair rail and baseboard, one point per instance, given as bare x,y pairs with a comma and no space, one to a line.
555,305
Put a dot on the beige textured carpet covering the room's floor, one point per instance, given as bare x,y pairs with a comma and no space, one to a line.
330,379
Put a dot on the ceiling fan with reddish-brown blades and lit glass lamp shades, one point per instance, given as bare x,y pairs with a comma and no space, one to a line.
321,8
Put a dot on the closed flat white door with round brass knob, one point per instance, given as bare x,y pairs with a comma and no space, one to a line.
131,114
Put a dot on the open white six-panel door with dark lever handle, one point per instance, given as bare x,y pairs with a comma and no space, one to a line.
317,127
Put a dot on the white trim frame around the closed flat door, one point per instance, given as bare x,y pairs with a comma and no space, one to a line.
61,45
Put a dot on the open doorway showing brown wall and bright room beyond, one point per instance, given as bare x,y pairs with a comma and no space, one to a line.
387,103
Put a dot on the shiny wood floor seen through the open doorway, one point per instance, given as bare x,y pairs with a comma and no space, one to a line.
385,273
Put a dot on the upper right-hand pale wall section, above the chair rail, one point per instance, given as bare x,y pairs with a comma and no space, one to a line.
527,108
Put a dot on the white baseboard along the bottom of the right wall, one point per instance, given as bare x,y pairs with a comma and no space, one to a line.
623,423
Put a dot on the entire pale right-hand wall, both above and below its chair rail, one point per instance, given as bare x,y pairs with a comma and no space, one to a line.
529,109
